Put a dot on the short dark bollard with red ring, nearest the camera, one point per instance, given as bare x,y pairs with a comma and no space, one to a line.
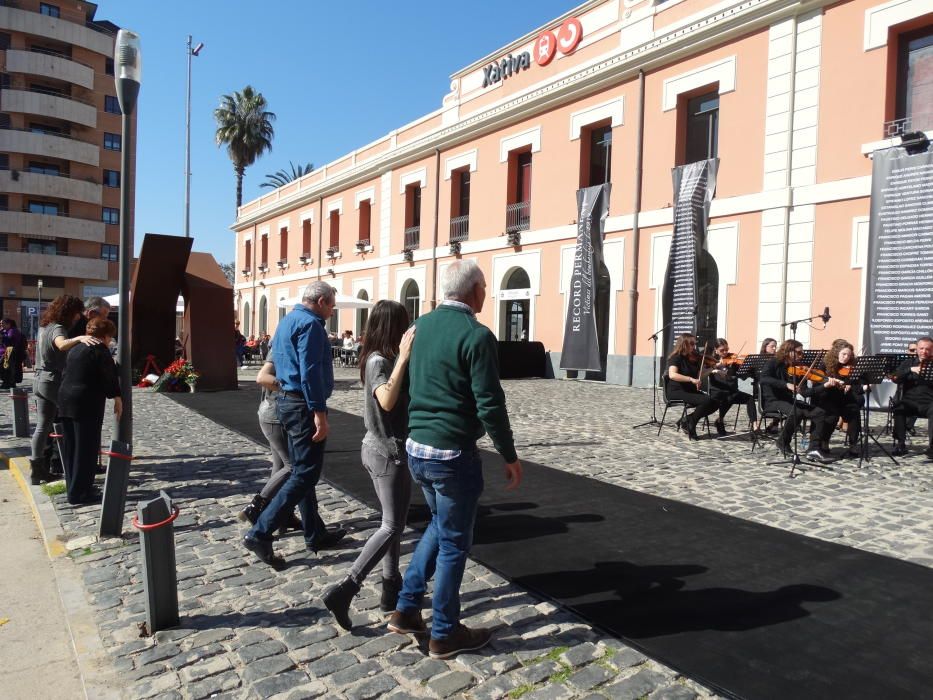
154,521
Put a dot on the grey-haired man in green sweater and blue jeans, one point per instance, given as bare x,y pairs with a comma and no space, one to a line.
456,397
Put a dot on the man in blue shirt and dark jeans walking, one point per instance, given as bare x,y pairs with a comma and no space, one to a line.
304,369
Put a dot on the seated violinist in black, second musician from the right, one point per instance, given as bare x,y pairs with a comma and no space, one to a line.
837,397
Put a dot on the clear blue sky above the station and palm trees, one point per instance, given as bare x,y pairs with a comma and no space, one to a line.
338,75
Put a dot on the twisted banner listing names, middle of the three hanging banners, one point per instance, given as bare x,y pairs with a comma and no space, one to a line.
694,186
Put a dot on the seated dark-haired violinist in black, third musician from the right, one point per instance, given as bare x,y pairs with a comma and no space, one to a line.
778,392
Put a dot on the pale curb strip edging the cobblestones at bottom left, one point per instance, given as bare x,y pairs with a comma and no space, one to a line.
91,657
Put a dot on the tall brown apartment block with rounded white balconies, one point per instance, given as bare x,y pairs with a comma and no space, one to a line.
60,148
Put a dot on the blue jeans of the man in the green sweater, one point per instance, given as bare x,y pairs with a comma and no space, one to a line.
451,489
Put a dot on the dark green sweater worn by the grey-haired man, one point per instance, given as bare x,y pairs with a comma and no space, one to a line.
454,384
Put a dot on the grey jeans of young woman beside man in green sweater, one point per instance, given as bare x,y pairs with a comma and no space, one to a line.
392,481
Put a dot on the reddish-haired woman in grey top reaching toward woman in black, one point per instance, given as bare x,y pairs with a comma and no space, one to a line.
51,347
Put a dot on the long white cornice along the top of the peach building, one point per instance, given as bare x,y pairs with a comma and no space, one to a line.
610,69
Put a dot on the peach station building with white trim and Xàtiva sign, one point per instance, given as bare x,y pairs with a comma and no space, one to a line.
791,97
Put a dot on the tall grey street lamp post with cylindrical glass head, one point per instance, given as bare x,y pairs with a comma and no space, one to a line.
128,64
